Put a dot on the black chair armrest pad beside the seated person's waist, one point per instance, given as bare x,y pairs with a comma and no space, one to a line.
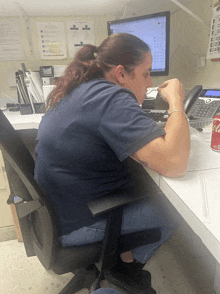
112,201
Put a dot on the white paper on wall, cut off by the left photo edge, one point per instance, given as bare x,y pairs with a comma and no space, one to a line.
11,46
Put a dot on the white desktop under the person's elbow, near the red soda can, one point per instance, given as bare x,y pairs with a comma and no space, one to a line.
196,195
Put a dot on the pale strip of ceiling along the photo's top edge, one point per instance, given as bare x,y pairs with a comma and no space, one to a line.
119,8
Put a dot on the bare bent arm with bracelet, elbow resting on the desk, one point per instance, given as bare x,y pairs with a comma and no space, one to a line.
168,155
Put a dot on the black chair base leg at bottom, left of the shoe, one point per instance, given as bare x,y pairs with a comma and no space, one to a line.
83,278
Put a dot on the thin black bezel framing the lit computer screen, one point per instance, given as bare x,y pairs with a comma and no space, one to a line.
153,15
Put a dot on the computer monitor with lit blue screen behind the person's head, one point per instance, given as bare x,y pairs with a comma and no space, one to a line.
153,29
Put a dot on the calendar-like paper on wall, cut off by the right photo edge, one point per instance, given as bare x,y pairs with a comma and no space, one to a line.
214,40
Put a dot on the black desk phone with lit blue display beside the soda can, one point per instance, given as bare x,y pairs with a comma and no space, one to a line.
202,103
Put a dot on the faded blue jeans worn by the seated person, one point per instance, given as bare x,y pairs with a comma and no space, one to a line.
137,217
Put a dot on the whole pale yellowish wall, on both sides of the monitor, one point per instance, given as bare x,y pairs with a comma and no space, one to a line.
188,36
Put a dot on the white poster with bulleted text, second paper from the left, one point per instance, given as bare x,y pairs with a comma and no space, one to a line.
52,41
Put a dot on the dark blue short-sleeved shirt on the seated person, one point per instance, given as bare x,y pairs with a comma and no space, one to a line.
81,146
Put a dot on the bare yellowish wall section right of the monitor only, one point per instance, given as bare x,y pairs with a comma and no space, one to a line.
189,38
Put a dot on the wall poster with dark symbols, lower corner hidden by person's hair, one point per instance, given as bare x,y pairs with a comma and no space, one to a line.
80,33
